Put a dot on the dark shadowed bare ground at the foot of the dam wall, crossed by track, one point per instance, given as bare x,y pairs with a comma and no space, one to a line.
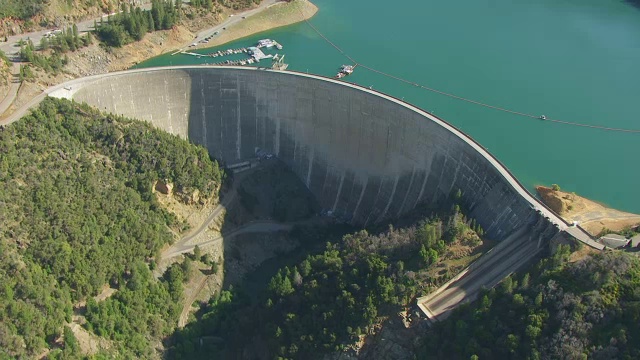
269,206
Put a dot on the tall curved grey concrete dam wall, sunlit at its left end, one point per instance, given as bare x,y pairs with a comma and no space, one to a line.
365,156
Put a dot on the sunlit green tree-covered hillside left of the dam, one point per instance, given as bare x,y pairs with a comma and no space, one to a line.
78,213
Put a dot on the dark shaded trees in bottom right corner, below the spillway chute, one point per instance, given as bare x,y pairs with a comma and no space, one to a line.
561,310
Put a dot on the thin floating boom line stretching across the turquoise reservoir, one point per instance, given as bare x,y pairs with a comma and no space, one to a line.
453,96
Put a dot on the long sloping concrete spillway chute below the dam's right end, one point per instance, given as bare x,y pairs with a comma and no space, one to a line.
487,272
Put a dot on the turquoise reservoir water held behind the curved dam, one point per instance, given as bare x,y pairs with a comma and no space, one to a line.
572,60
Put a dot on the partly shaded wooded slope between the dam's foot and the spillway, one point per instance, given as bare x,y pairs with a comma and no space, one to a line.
327,300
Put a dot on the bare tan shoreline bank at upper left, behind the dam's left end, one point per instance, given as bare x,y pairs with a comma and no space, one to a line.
94,59
